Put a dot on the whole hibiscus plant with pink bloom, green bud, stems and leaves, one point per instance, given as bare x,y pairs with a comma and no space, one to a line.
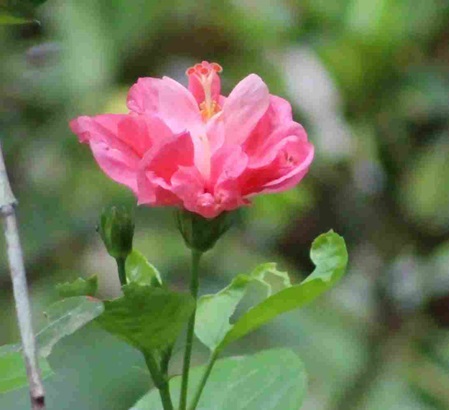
205,155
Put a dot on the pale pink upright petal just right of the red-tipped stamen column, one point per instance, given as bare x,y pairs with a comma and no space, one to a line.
244,107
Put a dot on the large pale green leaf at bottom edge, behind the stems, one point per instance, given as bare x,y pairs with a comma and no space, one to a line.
269,380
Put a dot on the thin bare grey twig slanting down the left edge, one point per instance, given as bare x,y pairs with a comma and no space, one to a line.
18,276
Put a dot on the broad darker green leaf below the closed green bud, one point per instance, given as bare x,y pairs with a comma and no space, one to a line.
147,317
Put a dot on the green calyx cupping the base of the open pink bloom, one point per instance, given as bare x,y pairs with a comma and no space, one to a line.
200,233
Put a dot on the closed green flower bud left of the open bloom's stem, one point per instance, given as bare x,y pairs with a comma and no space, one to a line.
117,231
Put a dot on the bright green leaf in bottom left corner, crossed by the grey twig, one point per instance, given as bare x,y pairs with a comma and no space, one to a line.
13,372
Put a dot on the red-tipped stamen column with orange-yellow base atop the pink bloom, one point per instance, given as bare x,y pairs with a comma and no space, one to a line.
205,73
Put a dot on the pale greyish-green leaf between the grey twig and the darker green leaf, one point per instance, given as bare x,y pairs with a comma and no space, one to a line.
66,317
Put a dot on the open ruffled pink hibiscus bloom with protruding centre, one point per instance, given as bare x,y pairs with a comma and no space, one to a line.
197,149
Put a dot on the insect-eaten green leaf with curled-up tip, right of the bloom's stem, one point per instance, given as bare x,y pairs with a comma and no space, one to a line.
330,257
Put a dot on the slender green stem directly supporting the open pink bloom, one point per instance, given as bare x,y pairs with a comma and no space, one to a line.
194,283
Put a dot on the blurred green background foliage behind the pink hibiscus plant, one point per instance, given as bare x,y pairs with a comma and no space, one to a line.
370,81
